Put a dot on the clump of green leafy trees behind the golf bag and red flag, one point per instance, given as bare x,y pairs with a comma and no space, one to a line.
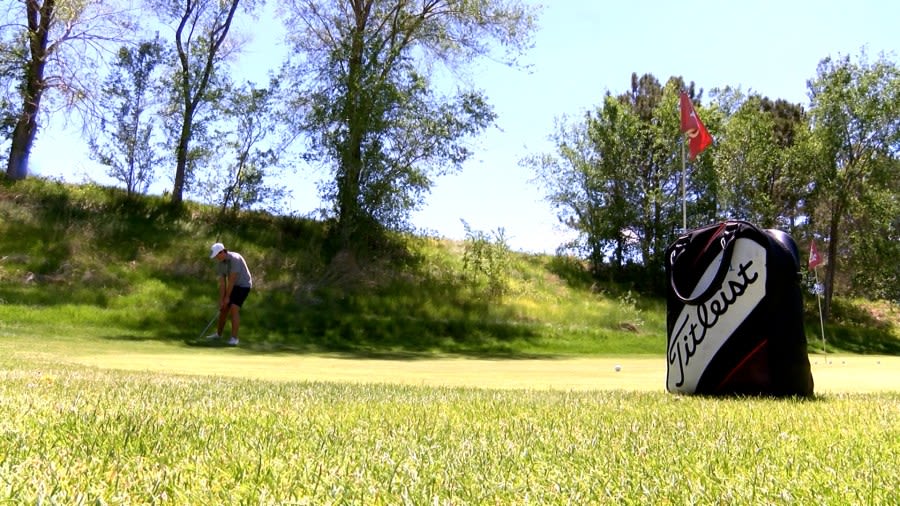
830,173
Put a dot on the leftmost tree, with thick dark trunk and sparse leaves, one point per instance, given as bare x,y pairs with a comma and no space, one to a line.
62,43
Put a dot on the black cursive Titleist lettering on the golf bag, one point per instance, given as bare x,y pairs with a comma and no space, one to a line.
694,327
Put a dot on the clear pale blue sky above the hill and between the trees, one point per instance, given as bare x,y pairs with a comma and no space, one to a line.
583,49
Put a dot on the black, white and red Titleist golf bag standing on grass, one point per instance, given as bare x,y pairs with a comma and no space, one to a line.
735,313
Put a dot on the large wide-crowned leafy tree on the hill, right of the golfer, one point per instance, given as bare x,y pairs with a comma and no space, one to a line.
362,72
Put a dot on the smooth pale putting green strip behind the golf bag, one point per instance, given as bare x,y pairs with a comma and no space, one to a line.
832,374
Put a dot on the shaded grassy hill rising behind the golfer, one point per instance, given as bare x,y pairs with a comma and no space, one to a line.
86,257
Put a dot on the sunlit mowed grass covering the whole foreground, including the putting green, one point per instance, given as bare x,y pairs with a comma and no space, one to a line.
94,421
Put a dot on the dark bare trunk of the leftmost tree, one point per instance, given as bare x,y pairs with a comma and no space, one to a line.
39,20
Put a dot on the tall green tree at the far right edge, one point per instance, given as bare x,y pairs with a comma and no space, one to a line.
854,114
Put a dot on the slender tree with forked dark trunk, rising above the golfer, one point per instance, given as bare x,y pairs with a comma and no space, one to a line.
201,45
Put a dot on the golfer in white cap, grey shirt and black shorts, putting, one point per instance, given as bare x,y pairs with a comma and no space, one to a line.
234,286
